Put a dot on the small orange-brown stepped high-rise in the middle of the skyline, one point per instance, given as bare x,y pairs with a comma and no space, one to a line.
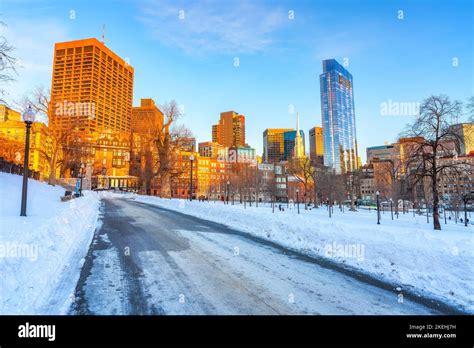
230,131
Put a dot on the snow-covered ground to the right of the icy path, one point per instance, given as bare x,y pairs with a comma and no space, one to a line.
405,252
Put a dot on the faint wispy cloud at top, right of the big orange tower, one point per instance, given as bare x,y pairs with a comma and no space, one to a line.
214,26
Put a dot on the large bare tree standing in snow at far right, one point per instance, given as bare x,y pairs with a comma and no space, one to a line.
433,137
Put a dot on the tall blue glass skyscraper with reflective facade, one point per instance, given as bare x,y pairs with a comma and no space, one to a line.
338,117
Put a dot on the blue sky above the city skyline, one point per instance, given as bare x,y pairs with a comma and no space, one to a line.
192,60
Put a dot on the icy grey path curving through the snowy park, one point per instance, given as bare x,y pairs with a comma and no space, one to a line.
148,260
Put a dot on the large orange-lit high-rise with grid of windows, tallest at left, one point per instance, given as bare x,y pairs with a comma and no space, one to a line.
92,87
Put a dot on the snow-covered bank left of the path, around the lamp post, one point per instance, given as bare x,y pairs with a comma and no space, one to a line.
41,255
